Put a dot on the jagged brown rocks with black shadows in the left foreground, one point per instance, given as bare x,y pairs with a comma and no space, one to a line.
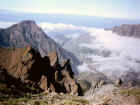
27,66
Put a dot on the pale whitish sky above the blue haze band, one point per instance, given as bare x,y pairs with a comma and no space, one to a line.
105,8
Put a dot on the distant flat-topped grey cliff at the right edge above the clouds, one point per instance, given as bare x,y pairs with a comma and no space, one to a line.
128,30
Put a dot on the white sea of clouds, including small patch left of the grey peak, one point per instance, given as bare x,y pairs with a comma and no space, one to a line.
122,53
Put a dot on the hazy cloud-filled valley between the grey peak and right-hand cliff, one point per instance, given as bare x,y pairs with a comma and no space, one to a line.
101,51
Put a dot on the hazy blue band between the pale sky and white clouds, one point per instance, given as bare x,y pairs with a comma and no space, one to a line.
10,16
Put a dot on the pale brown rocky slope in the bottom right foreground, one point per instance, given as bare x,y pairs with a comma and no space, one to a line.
112,95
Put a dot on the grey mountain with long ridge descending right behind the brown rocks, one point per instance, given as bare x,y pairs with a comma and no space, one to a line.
27,33
